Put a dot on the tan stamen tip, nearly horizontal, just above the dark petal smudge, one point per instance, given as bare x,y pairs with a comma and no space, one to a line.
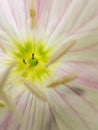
64,79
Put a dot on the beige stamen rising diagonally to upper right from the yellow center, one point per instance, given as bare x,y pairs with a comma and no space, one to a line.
61,52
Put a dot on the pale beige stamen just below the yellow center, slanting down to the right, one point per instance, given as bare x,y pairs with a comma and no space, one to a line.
35,90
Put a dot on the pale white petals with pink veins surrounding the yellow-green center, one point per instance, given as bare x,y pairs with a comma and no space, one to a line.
69,106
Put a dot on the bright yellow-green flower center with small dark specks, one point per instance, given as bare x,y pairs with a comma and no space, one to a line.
30,58
